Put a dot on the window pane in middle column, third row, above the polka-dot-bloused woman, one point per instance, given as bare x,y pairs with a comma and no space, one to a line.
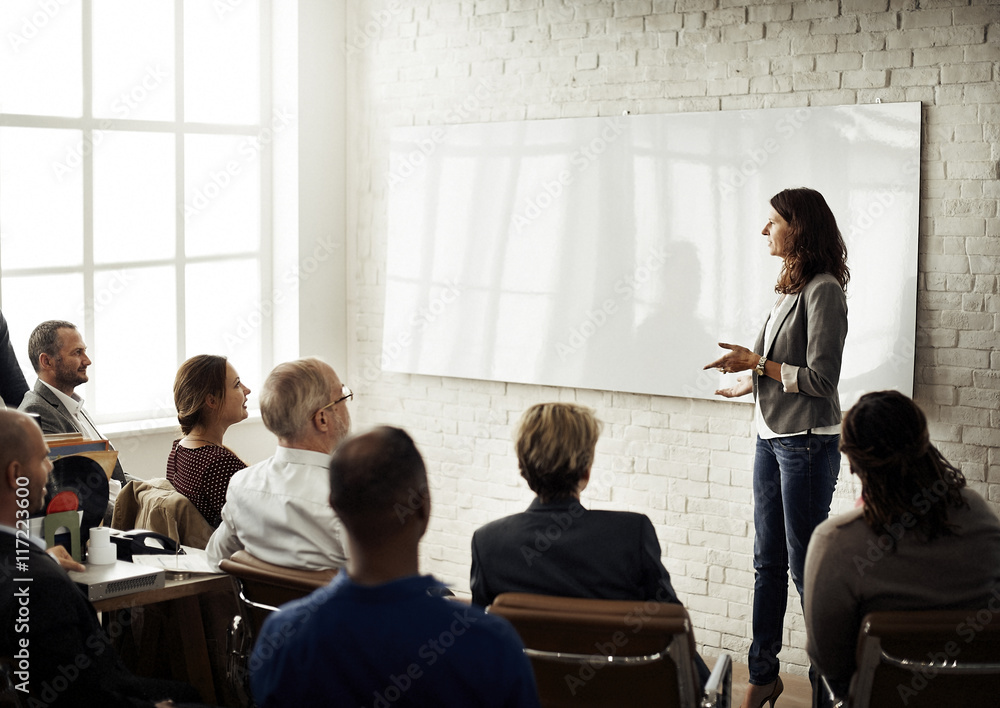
135,344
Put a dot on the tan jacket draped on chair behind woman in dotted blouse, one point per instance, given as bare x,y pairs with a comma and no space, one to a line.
156,506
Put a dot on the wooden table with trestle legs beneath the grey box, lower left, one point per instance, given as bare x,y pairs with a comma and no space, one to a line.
187,645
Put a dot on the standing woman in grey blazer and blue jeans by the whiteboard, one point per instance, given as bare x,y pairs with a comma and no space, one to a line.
795,367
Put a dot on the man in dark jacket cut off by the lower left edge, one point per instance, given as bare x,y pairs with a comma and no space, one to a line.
61,656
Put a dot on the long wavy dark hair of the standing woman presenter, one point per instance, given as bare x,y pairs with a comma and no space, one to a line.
813,244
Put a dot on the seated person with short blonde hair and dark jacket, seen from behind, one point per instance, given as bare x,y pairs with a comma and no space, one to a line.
557,547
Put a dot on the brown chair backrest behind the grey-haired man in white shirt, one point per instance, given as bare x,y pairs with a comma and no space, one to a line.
263,587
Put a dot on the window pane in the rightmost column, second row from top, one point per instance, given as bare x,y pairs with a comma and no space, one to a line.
221,195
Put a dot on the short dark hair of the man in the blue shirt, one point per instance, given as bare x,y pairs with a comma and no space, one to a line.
377,480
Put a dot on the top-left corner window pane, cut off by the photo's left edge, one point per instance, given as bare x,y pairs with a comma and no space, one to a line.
40,69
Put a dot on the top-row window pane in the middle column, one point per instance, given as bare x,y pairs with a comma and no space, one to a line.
133,59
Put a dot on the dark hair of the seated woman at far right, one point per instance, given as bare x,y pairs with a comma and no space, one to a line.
905,481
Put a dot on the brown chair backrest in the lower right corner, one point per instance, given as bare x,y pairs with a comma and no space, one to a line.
928,658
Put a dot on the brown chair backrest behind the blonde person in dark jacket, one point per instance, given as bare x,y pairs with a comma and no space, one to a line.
605,652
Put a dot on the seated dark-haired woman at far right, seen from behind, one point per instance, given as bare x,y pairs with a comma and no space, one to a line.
920,541
